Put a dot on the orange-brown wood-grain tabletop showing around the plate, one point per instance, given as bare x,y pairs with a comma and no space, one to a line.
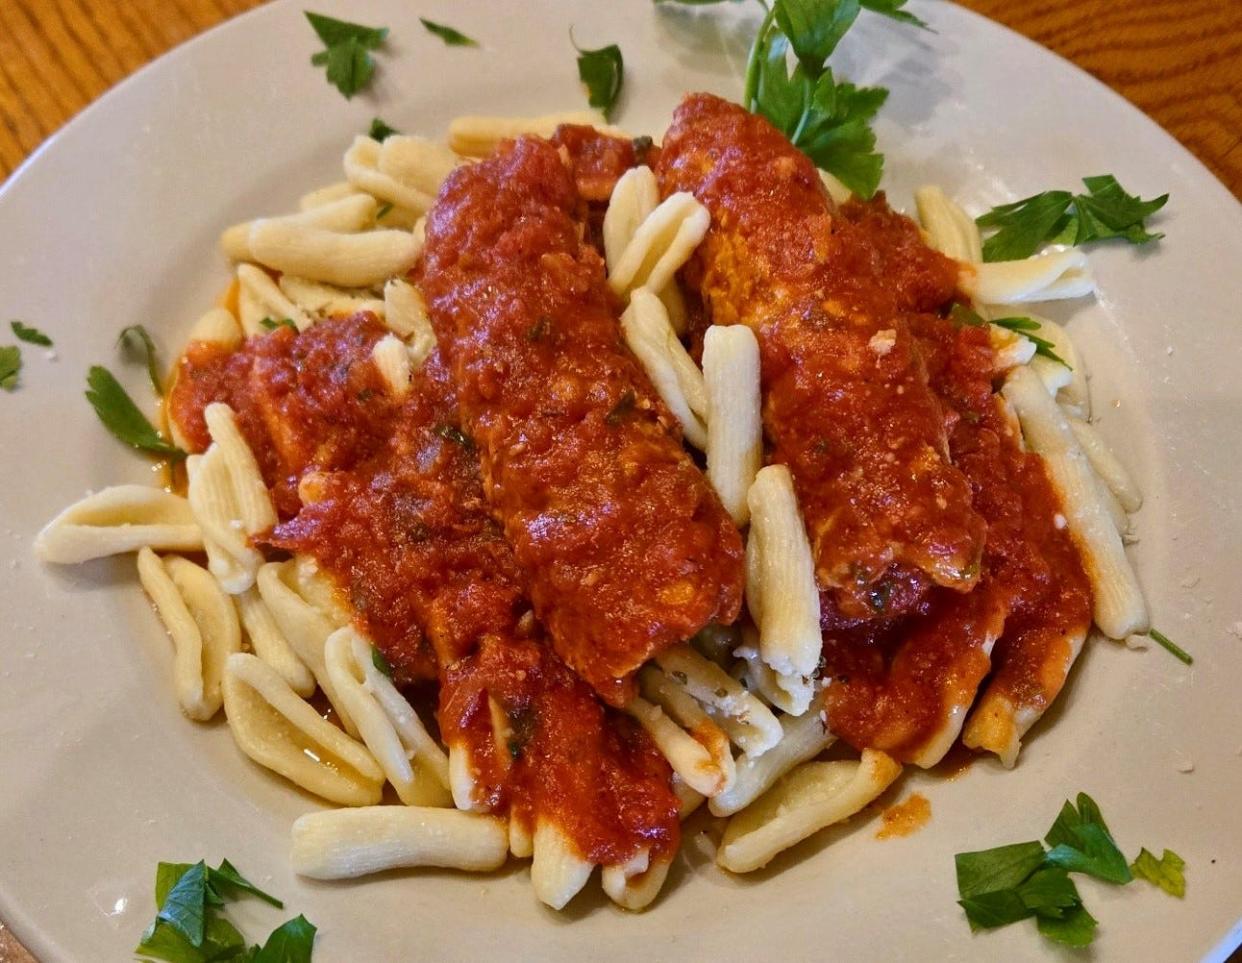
1178,60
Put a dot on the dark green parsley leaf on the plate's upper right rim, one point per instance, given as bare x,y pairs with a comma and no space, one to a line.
1059,217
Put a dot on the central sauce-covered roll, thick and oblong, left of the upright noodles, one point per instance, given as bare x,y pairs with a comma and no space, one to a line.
625,545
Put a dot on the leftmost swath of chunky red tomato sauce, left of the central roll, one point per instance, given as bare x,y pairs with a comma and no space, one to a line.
387,496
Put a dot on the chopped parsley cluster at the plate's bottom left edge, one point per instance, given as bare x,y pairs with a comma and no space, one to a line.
189,926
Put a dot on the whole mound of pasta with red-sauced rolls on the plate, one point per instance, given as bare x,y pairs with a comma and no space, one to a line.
547,485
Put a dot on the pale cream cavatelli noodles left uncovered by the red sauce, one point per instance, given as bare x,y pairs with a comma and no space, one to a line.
738,715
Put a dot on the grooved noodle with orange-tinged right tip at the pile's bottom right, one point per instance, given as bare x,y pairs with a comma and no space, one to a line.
812,798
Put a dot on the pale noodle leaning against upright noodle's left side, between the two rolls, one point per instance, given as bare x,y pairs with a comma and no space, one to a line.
675,377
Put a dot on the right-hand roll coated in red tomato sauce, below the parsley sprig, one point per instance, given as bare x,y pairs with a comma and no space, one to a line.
846,399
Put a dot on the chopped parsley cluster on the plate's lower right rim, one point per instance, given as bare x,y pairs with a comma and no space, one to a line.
1024,880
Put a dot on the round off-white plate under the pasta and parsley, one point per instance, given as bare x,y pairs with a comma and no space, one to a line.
116,221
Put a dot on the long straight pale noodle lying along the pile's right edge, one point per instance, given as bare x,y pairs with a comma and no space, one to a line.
1118,605
